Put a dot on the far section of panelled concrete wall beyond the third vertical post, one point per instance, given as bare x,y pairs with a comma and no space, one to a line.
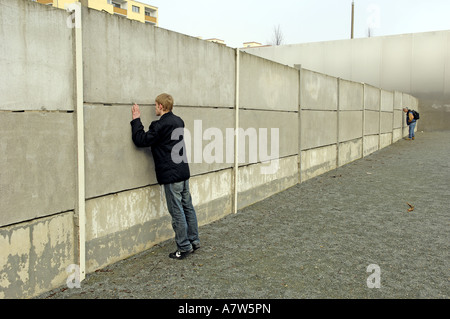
342,121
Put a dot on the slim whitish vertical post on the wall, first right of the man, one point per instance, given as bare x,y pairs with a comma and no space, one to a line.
236,138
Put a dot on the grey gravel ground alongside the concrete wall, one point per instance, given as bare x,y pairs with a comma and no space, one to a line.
313,240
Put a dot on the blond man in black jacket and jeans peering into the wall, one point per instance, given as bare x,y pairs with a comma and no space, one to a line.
172,170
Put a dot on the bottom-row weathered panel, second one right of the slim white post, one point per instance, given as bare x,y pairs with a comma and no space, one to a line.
317,161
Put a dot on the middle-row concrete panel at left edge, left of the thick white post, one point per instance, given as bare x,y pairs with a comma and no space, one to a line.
37,166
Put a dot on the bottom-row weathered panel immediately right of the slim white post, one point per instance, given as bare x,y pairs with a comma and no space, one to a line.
254,185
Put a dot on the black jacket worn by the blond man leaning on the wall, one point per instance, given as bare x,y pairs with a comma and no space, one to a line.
170,168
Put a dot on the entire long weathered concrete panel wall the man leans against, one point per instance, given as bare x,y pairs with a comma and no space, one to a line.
253,128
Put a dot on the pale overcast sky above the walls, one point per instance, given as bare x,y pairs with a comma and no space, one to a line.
238,21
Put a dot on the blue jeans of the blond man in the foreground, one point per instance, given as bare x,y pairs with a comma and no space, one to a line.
184,218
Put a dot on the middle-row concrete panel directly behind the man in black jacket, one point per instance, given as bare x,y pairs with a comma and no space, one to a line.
114,163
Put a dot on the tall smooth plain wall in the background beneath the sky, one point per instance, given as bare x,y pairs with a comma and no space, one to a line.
417,64
